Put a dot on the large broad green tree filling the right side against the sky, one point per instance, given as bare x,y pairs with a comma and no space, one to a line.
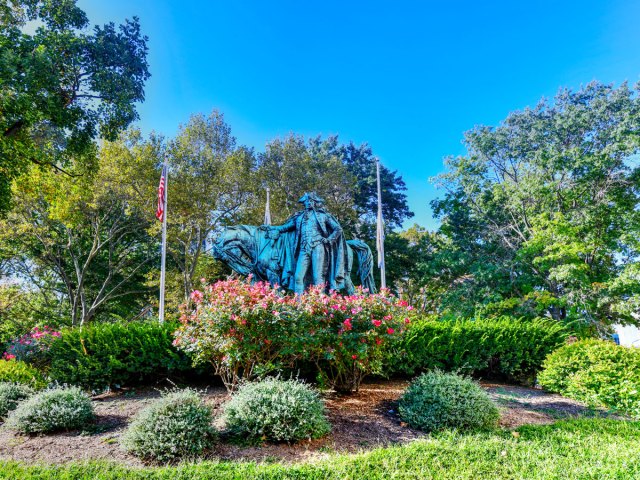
541,215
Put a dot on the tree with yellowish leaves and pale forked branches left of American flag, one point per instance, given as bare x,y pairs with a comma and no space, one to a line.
79,238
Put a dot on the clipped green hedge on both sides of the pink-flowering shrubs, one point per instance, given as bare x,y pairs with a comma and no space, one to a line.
119,354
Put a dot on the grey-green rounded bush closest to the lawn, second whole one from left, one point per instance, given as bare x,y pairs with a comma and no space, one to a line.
177,425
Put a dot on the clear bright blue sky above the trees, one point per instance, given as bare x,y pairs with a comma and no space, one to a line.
406,77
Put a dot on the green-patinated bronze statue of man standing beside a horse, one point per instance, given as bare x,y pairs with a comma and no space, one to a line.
308,249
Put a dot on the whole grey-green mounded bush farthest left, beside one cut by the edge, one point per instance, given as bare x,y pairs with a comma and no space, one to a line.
62,408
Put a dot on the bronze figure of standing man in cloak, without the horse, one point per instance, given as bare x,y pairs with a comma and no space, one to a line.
315,251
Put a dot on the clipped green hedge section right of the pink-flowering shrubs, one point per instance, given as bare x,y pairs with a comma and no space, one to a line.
505,347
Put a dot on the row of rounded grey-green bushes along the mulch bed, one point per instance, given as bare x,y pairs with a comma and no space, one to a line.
180,424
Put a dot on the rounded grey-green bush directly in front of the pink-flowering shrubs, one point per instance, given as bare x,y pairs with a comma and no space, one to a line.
276,410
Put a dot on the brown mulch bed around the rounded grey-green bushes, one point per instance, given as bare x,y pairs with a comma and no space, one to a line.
362,421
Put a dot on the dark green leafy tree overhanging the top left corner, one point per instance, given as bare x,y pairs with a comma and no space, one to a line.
61,86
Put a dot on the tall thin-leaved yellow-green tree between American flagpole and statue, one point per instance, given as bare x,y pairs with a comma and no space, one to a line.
211,184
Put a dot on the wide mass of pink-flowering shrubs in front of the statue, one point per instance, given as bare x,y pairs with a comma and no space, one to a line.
247,330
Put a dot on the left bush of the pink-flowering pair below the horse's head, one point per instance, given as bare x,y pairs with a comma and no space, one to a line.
243,330
